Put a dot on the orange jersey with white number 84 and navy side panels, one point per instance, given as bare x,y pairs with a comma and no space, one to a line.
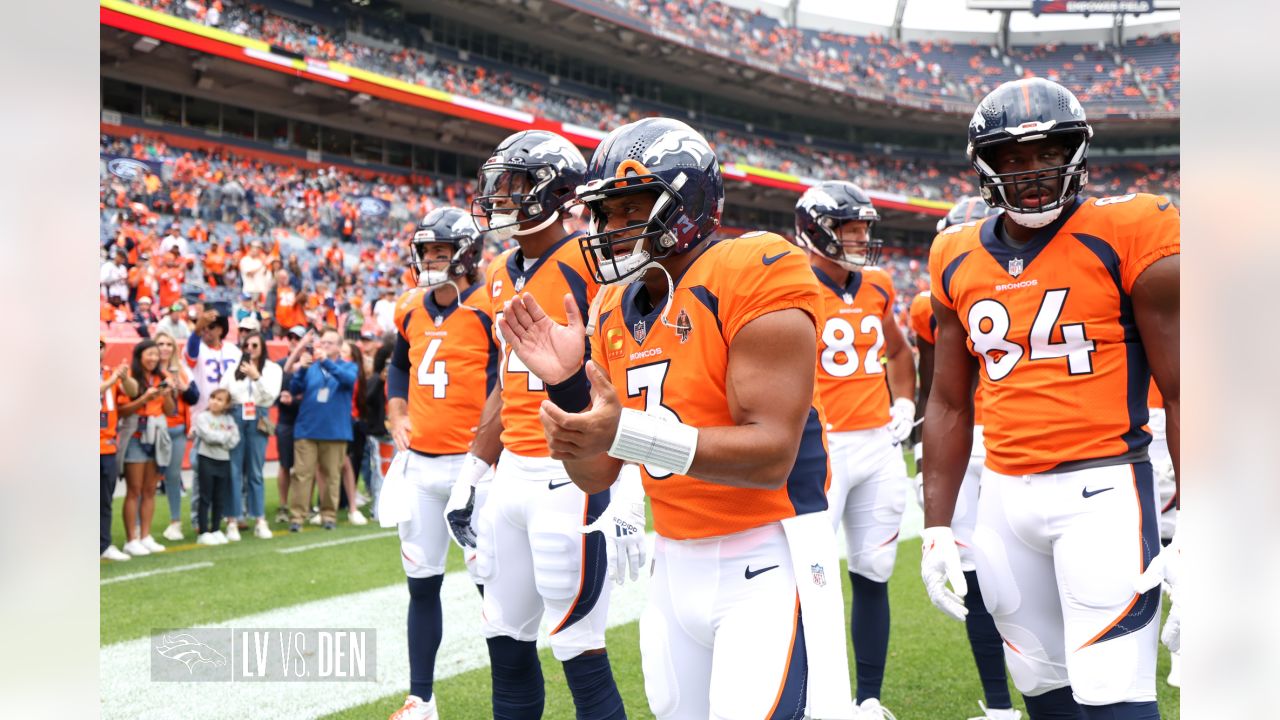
1063,367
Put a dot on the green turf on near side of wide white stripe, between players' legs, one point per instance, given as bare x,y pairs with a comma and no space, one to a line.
930,672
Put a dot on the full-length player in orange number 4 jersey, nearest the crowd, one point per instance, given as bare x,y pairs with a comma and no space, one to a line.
442,370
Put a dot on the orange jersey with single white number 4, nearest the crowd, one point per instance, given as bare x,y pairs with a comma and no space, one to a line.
454,366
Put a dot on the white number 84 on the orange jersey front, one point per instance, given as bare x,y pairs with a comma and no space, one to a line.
989,330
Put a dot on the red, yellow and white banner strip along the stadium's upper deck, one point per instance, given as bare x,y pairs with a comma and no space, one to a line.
177,31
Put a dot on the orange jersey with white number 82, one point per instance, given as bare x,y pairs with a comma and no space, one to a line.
851,347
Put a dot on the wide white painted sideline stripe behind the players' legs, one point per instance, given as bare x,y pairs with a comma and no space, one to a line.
127,691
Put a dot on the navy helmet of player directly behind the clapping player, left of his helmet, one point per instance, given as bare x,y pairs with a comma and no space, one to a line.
524,185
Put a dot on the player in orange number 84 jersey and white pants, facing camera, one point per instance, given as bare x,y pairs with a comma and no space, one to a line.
1066,307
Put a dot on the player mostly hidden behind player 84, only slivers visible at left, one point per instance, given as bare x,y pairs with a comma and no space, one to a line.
984,639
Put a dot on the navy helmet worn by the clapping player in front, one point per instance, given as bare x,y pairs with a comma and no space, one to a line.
661,157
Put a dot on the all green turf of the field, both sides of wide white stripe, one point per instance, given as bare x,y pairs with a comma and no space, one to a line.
930,673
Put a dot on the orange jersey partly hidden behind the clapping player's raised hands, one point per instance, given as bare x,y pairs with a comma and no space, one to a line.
561,271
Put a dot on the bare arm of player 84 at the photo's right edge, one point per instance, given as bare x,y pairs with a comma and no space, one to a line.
1156,308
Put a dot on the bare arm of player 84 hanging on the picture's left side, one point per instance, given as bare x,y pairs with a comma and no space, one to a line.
948,420
